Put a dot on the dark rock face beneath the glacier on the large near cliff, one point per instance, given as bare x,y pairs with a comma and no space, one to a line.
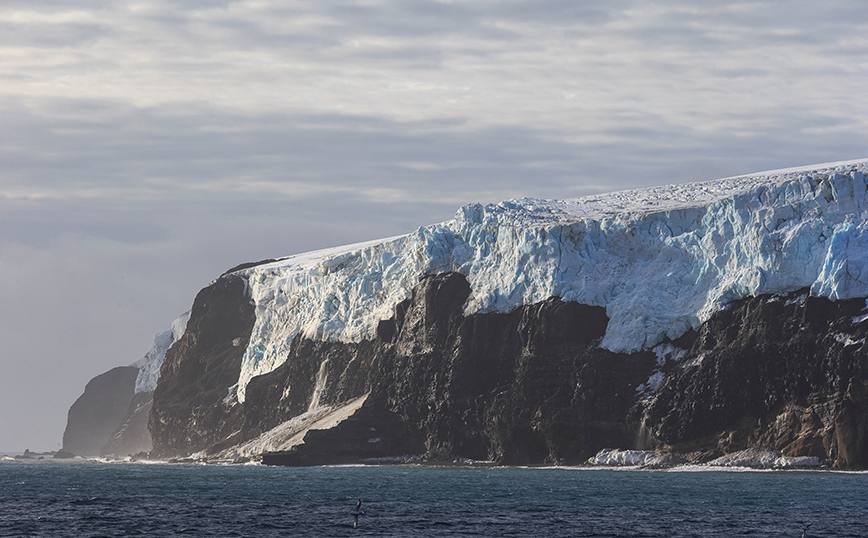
530,386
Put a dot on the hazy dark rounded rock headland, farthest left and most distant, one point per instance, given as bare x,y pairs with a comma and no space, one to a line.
99,411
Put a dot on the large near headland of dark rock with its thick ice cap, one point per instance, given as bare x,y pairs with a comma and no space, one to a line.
697,319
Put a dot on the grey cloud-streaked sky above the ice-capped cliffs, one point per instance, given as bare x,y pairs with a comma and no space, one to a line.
147,146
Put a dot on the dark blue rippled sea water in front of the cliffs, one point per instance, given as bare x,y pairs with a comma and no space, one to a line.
109,500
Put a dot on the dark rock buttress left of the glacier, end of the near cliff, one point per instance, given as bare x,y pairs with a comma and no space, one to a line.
188,411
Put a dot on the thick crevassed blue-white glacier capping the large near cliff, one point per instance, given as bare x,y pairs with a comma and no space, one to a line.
660,260
